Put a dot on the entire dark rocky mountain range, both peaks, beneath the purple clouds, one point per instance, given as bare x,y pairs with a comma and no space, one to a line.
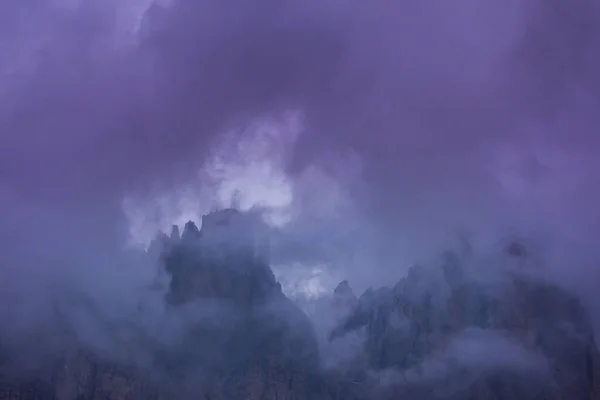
453,330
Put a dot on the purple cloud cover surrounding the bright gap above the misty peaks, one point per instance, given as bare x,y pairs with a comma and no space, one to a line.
478,114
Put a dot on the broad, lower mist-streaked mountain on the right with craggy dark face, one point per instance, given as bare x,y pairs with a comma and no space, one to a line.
460,331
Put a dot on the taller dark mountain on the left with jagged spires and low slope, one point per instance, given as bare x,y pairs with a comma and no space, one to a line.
242,337
